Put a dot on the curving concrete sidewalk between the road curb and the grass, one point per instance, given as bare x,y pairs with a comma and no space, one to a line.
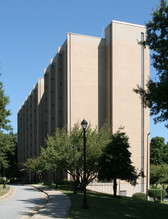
57,206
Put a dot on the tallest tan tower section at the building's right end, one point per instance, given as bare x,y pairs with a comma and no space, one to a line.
127,67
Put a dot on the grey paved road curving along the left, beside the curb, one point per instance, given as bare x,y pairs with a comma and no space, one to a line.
24,199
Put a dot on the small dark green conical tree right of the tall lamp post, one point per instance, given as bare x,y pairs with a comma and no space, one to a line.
115,162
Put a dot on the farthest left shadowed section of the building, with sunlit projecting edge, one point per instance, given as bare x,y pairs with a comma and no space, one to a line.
29,124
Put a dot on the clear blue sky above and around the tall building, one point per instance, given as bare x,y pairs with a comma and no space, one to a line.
32,30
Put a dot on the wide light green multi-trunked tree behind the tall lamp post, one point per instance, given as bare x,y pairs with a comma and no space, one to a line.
59,152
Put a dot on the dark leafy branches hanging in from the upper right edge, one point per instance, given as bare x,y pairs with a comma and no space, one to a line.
155,96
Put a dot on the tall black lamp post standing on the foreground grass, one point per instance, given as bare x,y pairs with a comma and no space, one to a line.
84,125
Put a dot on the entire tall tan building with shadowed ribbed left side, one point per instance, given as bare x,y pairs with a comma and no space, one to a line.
91,78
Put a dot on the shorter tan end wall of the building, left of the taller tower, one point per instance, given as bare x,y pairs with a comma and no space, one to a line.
86,79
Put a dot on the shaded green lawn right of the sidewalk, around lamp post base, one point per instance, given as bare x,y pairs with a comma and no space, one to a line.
102,206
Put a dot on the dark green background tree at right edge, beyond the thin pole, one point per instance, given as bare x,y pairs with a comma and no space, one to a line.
158,151
